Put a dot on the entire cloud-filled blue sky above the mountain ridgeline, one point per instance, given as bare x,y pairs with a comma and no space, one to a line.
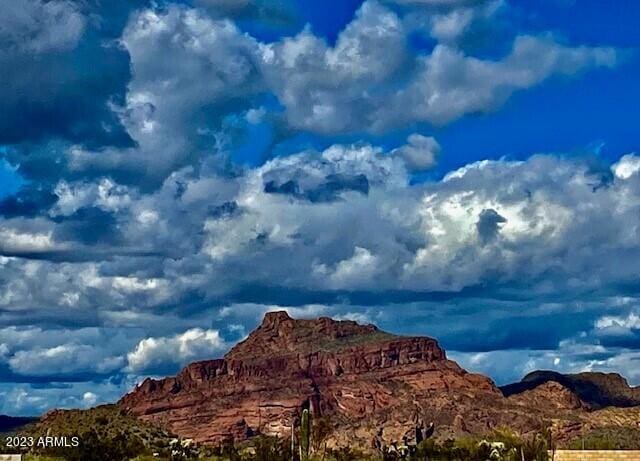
170,171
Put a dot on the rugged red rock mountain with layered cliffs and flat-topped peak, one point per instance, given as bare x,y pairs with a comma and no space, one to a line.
357,374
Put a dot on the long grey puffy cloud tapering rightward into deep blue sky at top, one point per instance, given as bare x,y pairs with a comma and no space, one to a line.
369,81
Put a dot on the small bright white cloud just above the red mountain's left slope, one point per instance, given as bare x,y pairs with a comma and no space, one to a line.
153,354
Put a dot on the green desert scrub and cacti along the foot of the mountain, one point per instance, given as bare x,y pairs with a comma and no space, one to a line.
110,434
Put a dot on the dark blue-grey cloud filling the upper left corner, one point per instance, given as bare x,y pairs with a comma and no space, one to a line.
61,68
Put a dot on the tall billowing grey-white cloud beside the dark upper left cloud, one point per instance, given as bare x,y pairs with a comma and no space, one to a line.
175,106
